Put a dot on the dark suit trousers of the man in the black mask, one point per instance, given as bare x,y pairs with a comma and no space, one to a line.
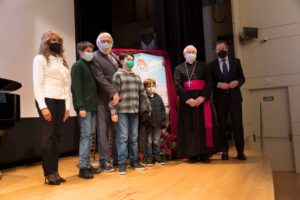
234,110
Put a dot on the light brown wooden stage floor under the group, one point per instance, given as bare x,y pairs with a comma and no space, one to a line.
219,180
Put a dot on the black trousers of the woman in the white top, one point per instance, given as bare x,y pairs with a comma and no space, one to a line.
50,134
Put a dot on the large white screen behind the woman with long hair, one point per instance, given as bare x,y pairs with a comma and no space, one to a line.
22,22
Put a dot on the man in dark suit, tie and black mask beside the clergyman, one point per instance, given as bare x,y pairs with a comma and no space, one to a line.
227,75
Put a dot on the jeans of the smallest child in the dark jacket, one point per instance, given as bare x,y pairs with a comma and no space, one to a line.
153,145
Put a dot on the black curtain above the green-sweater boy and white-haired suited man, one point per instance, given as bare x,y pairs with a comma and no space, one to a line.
91,18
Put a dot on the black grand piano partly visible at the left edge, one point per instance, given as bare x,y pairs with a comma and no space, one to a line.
9,106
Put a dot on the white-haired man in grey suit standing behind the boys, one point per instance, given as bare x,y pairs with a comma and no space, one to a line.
105,64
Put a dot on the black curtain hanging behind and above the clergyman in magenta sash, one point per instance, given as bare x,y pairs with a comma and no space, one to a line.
179,23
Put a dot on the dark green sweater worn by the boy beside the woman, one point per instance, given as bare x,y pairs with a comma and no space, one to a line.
84,89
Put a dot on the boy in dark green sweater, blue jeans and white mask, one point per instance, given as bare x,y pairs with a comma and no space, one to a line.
84,93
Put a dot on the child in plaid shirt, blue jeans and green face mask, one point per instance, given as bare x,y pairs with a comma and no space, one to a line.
126,113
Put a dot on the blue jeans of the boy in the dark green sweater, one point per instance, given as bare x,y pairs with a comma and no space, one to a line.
87,128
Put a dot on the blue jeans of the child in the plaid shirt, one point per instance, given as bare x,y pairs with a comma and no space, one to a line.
126,137
